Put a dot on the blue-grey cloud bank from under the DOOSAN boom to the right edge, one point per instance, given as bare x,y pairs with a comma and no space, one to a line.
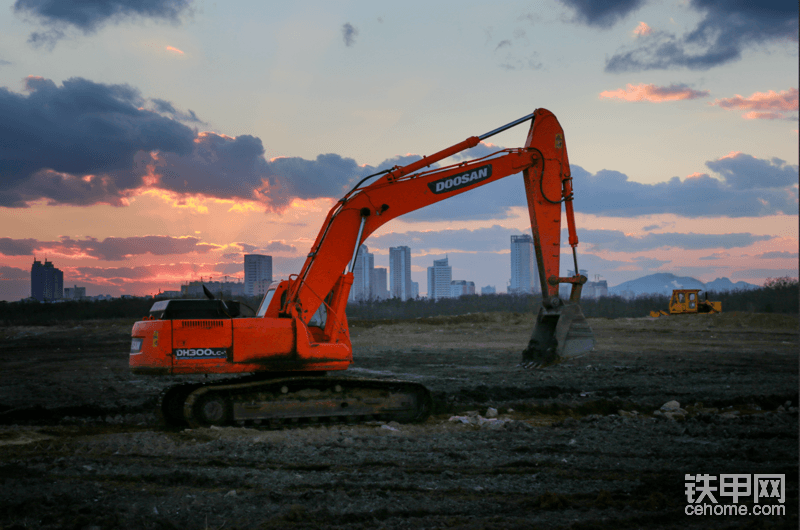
749,187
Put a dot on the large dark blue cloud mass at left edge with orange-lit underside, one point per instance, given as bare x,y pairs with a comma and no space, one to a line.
80,129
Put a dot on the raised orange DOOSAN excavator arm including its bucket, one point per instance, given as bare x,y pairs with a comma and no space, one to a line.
545,168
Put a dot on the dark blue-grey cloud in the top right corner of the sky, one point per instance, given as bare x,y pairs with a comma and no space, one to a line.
727,28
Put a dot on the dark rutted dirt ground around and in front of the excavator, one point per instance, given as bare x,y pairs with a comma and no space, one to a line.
581,445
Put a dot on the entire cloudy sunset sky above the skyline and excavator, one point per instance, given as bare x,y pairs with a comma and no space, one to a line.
146,144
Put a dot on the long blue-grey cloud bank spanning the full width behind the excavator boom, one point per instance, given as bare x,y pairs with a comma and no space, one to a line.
86,143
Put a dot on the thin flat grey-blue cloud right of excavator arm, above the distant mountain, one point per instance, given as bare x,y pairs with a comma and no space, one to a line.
618,241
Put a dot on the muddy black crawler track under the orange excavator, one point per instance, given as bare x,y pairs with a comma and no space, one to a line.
294,401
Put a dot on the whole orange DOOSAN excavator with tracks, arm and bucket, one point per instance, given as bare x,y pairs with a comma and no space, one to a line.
299,332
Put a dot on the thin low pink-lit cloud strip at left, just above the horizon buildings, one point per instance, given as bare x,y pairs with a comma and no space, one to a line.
109,249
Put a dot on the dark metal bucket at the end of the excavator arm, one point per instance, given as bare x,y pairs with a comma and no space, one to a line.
560,333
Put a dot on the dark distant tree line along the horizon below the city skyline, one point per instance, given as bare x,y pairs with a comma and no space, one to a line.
778,295
